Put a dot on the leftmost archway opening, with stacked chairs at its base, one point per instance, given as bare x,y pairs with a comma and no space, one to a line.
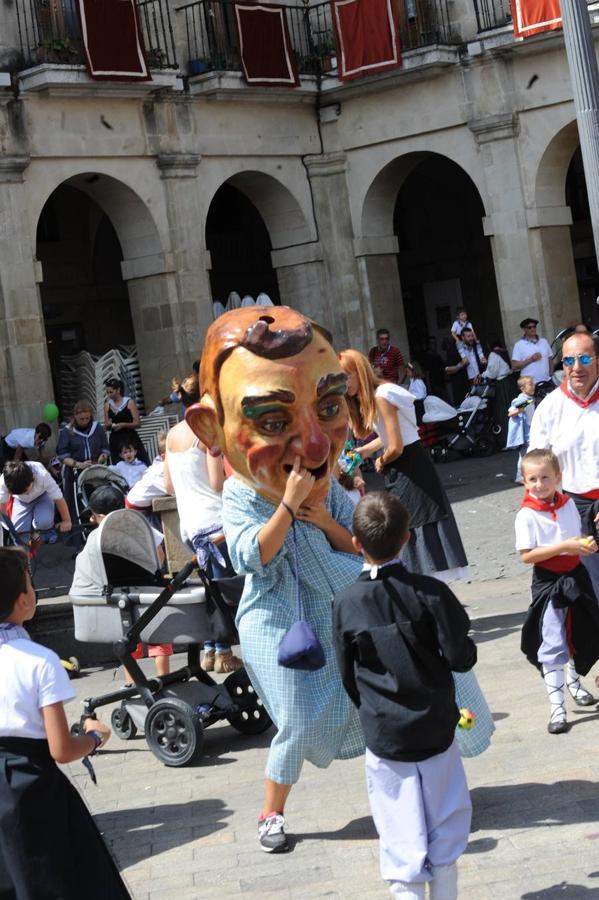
105,282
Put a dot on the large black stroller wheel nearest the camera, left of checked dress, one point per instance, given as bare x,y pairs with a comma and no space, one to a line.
174,732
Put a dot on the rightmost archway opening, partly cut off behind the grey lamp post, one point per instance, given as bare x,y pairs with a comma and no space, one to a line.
560,183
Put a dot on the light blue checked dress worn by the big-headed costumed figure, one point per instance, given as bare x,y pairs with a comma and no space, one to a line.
315,718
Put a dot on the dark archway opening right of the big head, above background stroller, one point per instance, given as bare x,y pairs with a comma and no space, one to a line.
434,210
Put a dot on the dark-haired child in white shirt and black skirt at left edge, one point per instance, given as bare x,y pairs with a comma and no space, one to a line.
49,844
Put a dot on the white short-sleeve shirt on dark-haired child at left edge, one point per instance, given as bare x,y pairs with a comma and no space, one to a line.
31,677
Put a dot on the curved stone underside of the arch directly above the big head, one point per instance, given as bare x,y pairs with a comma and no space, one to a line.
279,208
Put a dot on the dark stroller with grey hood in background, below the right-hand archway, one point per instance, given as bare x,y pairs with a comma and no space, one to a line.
469,429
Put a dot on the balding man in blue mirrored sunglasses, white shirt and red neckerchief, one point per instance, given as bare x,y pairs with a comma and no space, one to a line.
567,421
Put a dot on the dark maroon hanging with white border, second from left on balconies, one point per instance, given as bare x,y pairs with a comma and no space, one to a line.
267,55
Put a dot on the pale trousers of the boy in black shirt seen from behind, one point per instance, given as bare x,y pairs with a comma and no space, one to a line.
422,813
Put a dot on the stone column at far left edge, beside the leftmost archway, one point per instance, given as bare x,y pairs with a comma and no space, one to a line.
25,379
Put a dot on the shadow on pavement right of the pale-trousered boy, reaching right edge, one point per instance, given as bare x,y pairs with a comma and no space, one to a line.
532,805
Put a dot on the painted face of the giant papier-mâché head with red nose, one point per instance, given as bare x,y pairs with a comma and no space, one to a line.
275,410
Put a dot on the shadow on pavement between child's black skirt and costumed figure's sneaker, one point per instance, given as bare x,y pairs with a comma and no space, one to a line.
139,833
